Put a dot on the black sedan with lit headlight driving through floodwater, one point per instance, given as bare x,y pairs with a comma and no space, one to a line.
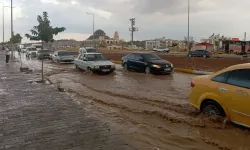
147,63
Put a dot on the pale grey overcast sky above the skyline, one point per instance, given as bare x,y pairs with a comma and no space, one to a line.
154,18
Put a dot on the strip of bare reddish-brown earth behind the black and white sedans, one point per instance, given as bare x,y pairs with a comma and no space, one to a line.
180,60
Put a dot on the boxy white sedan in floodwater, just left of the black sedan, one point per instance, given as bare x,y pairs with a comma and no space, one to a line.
95,62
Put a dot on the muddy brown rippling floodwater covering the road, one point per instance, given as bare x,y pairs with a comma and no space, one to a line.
151,111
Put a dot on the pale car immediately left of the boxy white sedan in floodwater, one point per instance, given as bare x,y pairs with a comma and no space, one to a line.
63,57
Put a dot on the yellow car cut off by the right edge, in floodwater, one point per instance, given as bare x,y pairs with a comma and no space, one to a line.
225,93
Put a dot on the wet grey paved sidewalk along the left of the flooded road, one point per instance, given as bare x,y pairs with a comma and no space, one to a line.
38,117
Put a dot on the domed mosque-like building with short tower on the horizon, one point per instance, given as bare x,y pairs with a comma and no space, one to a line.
100,39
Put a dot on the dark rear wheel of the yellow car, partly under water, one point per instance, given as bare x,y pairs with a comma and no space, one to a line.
212,109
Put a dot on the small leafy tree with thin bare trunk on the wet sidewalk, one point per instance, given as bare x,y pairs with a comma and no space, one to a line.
44,32
